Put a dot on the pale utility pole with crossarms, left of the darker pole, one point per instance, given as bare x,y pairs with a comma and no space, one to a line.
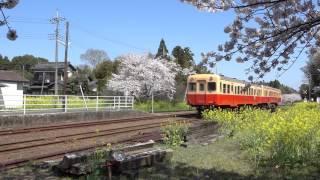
56,20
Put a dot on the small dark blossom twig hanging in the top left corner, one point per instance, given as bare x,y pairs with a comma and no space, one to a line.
8,4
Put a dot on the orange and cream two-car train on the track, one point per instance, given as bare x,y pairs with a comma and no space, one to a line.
206,91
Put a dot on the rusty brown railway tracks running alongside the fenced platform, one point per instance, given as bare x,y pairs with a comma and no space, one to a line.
33,149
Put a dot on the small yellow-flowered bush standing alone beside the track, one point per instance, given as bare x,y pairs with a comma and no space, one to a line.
173,132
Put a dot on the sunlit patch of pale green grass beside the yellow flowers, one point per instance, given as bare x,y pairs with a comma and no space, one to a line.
222,156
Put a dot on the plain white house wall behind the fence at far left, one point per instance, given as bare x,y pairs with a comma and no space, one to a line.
12,97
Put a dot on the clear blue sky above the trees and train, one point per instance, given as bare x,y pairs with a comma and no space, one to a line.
124,26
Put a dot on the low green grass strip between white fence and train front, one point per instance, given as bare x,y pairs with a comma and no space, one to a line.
161,106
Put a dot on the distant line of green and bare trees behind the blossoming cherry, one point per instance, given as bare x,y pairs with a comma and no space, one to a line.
98,70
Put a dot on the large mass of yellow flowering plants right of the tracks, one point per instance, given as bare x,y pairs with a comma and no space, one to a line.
284,138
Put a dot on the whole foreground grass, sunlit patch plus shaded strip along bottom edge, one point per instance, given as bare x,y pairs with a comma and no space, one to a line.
222,159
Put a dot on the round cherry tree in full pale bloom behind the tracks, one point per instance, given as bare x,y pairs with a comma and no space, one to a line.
142,75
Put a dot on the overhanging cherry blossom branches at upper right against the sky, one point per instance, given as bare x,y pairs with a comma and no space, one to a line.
271,34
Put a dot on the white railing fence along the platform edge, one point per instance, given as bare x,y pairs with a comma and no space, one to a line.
27,104
